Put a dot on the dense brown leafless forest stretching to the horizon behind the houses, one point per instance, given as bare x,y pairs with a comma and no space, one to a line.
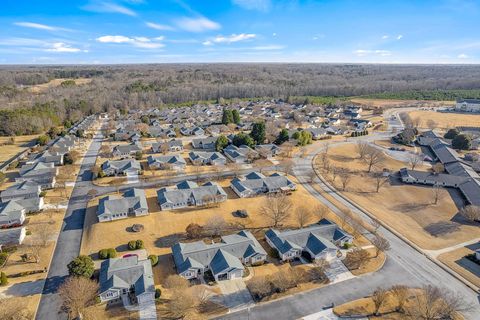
141,86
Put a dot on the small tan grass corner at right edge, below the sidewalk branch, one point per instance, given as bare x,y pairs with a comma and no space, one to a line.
456,261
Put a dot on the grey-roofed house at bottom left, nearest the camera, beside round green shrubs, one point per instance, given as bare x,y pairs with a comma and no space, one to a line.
127,280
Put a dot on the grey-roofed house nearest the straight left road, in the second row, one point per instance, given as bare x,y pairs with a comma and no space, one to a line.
133,203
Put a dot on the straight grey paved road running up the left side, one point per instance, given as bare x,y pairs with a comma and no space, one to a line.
70,237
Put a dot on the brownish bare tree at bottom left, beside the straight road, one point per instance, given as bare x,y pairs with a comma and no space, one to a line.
77,293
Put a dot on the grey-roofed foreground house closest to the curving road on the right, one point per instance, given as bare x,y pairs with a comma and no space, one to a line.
319,241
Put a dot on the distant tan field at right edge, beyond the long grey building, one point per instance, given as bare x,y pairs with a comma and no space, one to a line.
445,120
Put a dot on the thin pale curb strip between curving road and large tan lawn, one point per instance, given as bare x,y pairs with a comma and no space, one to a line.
400,236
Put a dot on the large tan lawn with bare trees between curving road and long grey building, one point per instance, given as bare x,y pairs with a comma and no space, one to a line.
411,211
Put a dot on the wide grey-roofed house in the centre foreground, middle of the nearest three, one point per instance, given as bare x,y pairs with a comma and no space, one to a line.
224,259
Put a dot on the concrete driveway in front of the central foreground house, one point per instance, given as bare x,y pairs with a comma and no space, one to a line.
235,295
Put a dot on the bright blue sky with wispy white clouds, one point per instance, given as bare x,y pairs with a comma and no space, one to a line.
161,31
